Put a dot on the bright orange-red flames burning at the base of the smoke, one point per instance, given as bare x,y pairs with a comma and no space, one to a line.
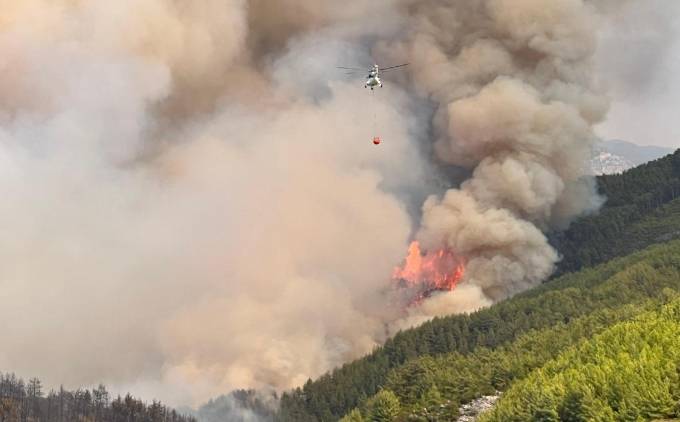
431,271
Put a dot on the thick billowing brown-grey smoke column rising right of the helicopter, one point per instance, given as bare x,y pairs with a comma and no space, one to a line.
515,102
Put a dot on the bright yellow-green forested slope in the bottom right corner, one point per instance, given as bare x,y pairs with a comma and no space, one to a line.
629,372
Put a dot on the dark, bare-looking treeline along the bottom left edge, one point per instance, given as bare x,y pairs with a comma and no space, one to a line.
21,402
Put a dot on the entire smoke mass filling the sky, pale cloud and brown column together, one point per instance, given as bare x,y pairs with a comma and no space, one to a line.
191,201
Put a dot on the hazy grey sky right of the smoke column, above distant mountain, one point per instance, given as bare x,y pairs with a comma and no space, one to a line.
640,59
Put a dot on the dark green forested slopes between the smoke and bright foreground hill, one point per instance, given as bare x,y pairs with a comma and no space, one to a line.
426,373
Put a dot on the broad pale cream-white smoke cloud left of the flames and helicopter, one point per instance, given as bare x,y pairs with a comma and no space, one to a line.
178,221
